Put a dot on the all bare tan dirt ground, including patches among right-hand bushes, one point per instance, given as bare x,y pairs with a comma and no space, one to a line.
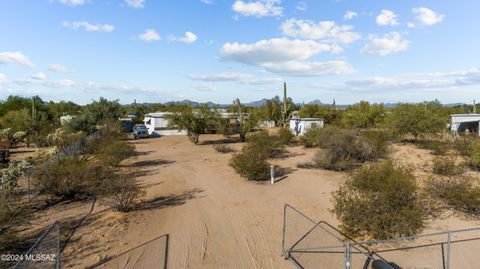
214,218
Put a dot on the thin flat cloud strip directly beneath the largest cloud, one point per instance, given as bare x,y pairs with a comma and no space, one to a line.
297,68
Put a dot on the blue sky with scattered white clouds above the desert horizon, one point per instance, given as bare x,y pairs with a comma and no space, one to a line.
220,50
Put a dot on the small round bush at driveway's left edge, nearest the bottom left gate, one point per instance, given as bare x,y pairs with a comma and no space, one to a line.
121,192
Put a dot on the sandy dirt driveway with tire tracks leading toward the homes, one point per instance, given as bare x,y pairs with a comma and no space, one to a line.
217,219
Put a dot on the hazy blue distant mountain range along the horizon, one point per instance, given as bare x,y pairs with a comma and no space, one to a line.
262,102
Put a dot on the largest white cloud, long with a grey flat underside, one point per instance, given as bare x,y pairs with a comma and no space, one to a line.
274,50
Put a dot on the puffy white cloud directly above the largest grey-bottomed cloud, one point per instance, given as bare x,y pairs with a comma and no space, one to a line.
325,30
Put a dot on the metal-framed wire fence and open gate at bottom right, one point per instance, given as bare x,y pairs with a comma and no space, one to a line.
310,244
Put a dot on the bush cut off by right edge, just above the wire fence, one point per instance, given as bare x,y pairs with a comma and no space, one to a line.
460,193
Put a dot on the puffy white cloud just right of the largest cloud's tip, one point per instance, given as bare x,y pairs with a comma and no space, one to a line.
389,43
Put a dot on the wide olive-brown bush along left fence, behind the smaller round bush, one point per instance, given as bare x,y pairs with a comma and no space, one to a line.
69,177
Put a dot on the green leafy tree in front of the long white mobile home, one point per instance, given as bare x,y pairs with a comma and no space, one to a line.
195,121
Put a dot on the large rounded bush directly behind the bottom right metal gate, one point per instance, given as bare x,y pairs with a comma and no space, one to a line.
379,201
